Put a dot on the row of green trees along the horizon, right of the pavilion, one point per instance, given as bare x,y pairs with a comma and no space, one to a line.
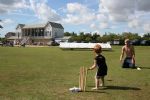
107,37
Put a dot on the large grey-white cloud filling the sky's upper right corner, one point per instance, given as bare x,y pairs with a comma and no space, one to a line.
122,10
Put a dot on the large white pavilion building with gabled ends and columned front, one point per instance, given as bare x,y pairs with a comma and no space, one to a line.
40,32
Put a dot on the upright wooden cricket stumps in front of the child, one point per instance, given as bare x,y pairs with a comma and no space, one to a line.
82,78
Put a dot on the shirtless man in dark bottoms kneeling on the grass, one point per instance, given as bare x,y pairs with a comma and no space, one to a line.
128,49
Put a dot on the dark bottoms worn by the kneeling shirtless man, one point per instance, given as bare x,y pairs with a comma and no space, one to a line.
128,63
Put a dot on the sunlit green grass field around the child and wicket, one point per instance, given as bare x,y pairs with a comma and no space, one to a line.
47,74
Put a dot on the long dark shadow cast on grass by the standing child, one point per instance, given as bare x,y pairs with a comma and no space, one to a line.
121,88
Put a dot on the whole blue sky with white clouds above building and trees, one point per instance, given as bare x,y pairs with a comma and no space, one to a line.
87,16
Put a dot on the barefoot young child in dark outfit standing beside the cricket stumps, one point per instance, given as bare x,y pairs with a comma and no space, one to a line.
100,63
